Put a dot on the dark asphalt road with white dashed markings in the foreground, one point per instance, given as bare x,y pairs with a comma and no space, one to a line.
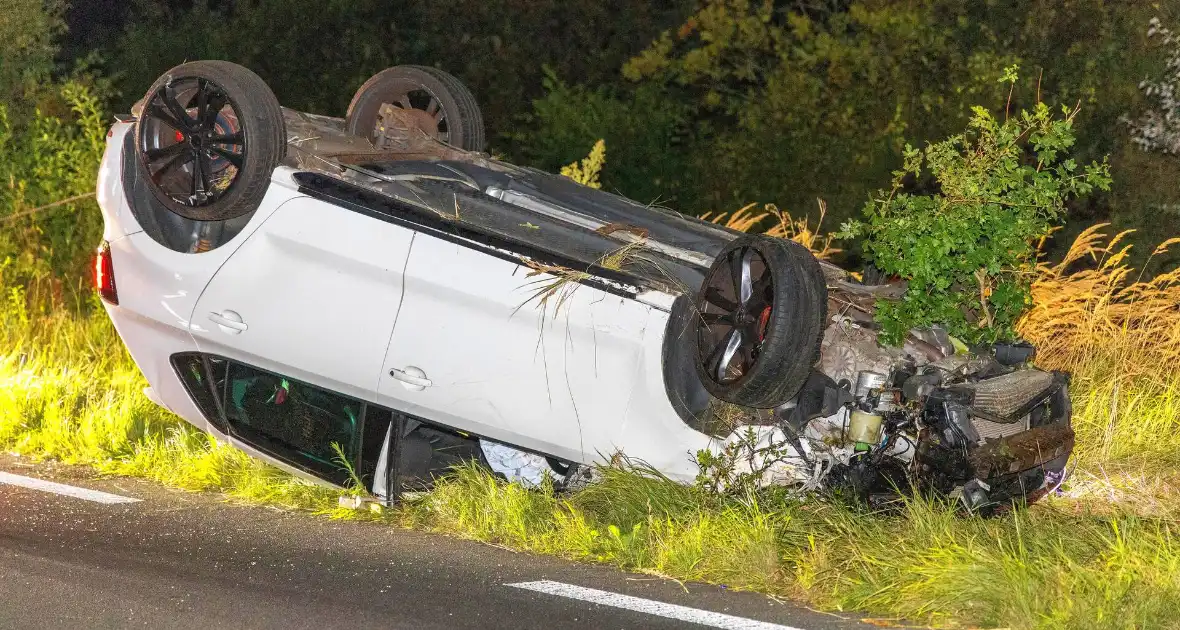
178,560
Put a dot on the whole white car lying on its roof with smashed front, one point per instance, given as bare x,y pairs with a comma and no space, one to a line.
376,293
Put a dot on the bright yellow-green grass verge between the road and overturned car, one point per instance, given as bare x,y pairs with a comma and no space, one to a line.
1107,555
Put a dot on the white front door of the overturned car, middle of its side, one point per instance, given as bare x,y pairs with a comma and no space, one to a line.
475,350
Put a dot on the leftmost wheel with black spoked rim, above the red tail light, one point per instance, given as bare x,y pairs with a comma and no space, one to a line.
234,176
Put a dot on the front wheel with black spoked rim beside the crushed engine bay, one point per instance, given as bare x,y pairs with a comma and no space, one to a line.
781,325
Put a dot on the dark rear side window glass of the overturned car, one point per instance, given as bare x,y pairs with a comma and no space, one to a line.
294,422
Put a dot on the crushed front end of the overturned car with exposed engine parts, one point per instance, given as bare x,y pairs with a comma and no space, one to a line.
929,417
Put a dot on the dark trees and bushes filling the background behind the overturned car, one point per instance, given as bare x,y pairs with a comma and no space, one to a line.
705,106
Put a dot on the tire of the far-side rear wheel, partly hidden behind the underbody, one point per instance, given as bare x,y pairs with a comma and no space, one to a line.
421,88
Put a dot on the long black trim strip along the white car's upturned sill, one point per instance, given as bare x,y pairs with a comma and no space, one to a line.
373,205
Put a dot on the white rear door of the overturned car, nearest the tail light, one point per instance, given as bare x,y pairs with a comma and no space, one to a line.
312,296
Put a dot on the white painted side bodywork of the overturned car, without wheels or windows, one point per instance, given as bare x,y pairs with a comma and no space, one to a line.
376,311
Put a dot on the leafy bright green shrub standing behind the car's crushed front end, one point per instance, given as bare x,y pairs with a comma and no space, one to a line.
966,251
